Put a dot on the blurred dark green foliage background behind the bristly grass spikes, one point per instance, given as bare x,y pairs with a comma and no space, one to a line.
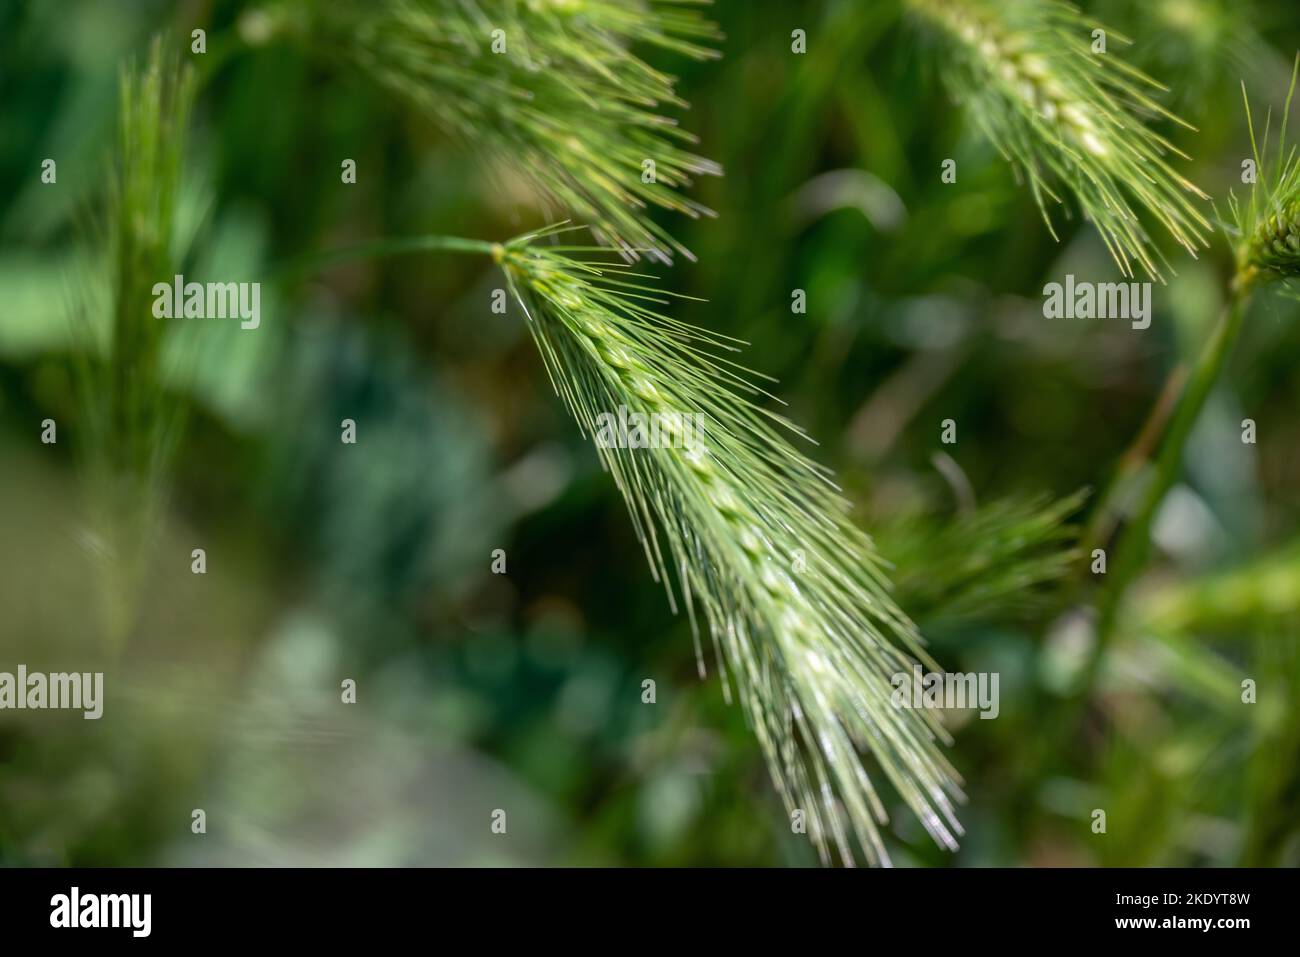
523,692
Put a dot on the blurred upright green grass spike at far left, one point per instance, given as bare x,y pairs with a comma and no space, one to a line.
133,421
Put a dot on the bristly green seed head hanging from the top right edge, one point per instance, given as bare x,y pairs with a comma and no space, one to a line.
1067,114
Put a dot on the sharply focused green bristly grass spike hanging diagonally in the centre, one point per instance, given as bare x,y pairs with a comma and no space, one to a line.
811,652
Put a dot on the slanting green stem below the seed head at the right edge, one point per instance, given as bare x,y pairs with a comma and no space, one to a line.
1130,553
